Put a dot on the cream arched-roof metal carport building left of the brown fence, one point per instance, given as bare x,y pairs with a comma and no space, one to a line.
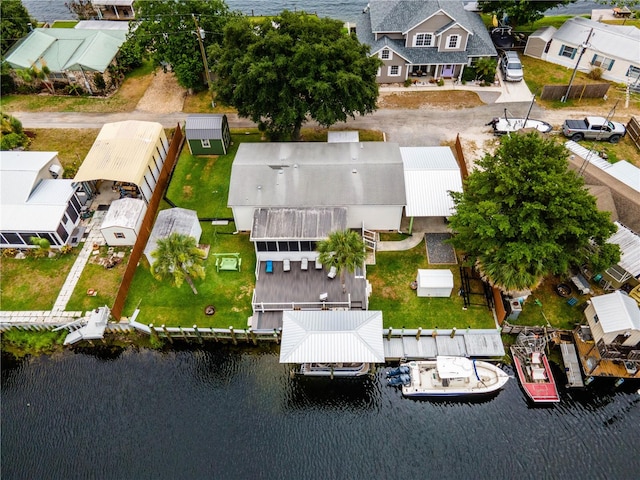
130,153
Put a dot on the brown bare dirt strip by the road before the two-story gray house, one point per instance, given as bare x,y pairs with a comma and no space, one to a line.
442,100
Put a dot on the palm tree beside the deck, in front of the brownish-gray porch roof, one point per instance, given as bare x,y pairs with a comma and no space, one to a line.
344,249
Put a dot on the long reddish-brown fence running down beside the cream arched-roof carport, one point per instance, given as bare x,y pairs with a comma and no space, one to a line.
147,223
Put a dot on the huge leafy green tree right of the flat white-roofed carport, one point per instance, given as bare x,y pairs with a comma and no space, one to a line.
524,215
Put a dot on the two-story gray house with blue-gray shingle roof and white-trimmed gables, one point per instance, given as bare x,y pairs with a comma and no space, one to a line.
431,39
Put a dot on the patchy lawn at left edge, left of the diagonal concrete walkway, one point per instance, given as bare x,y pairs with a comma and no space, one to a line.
33,283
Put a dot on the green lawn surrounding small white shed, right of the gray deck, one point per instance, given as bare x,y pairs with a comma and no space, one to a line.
391,278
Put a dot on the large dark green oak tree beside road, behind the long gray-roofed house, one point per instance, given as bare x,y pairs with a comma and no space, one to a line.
280,71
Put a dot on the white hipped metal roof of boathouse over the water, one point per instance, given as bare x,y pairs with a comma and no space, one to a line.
327,336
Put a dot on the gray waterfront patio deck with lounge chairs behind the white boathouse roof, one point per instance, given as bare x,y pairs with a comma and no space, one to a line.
301,289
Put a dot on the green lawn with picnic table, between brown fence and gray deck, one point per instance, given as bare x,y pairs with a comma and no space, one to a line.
229,292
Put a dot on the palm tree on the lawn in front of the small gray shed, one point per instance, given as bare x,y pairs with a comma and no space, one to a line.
179,258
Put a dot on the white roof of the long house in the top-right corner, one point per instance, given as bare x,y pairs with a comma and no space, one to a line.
613,41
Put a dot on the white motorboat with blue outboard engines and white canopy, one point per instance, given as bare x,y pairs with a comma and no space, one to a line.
448,376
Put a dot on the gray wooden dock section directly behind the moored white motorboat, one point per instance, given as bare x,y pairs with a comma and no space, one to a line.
424,344
